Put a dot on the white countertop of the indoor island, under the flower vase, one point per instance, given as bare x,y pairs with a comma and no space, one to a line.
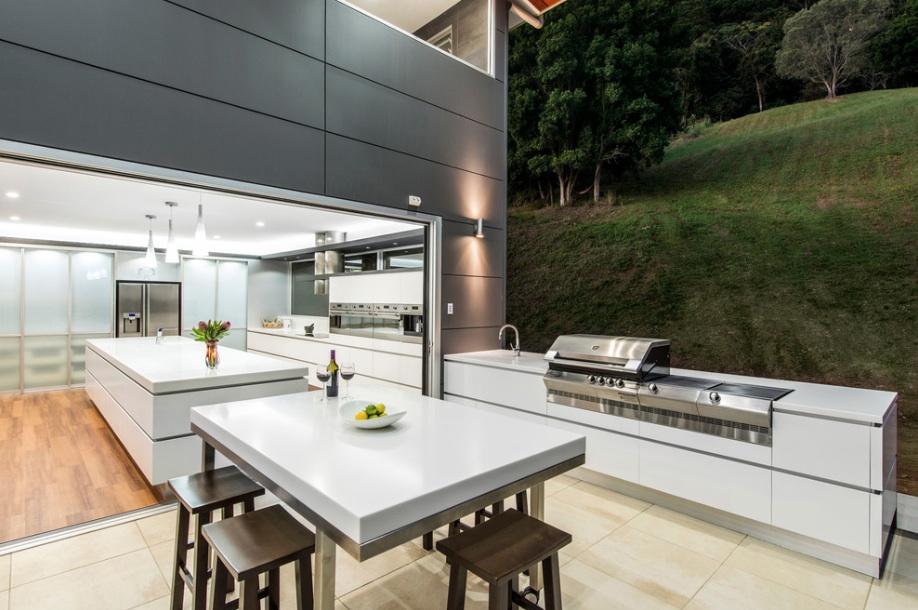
177,364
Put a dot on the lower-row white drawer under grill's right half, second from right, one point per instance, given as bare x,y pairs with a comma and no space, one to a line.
734,487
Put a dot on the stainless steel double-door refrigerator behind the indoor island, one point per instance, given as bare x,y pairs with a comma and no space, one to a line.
145,307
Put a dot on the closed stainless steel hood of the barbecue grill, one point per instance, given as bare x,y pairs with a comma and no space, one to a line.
628,357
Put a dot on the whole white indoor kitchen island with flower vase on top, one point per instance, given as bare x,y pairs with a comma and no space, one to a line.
145,391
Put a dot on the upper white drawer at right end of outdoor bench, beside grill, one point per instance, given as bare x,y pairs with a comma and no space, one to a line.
832,450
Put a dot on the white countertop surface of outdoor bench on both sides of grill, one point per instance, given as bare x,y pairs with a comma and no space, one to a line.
835,402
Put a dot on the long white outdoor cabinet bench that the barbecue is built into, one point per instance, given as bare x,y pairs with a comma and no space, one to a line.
826,486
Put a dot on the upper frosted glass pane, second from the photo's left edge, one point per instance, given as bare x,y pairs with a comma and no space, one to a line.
46,279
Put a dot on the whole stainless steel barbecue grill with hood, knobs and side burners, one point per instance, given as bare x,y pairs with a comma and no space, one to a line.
630,377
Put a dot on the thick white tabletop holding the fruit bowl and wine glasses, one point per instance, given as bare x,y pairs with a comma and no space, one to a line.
367,483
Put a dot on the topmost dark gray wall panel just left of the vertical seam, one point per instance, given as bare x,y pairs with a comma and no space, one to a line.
298,24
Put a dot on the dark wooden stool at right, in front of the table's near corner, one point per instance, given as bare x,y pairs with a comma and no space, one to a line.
498,551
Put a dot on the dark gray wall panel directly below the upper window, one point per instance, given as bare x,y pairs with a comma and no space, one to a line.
362,45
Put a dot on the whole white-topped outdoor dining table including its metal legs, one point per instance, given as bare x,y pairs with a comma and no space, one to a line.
370,490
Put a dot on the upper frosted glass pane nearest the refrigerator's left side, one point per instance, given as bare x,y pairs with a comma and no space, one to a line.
91,292
